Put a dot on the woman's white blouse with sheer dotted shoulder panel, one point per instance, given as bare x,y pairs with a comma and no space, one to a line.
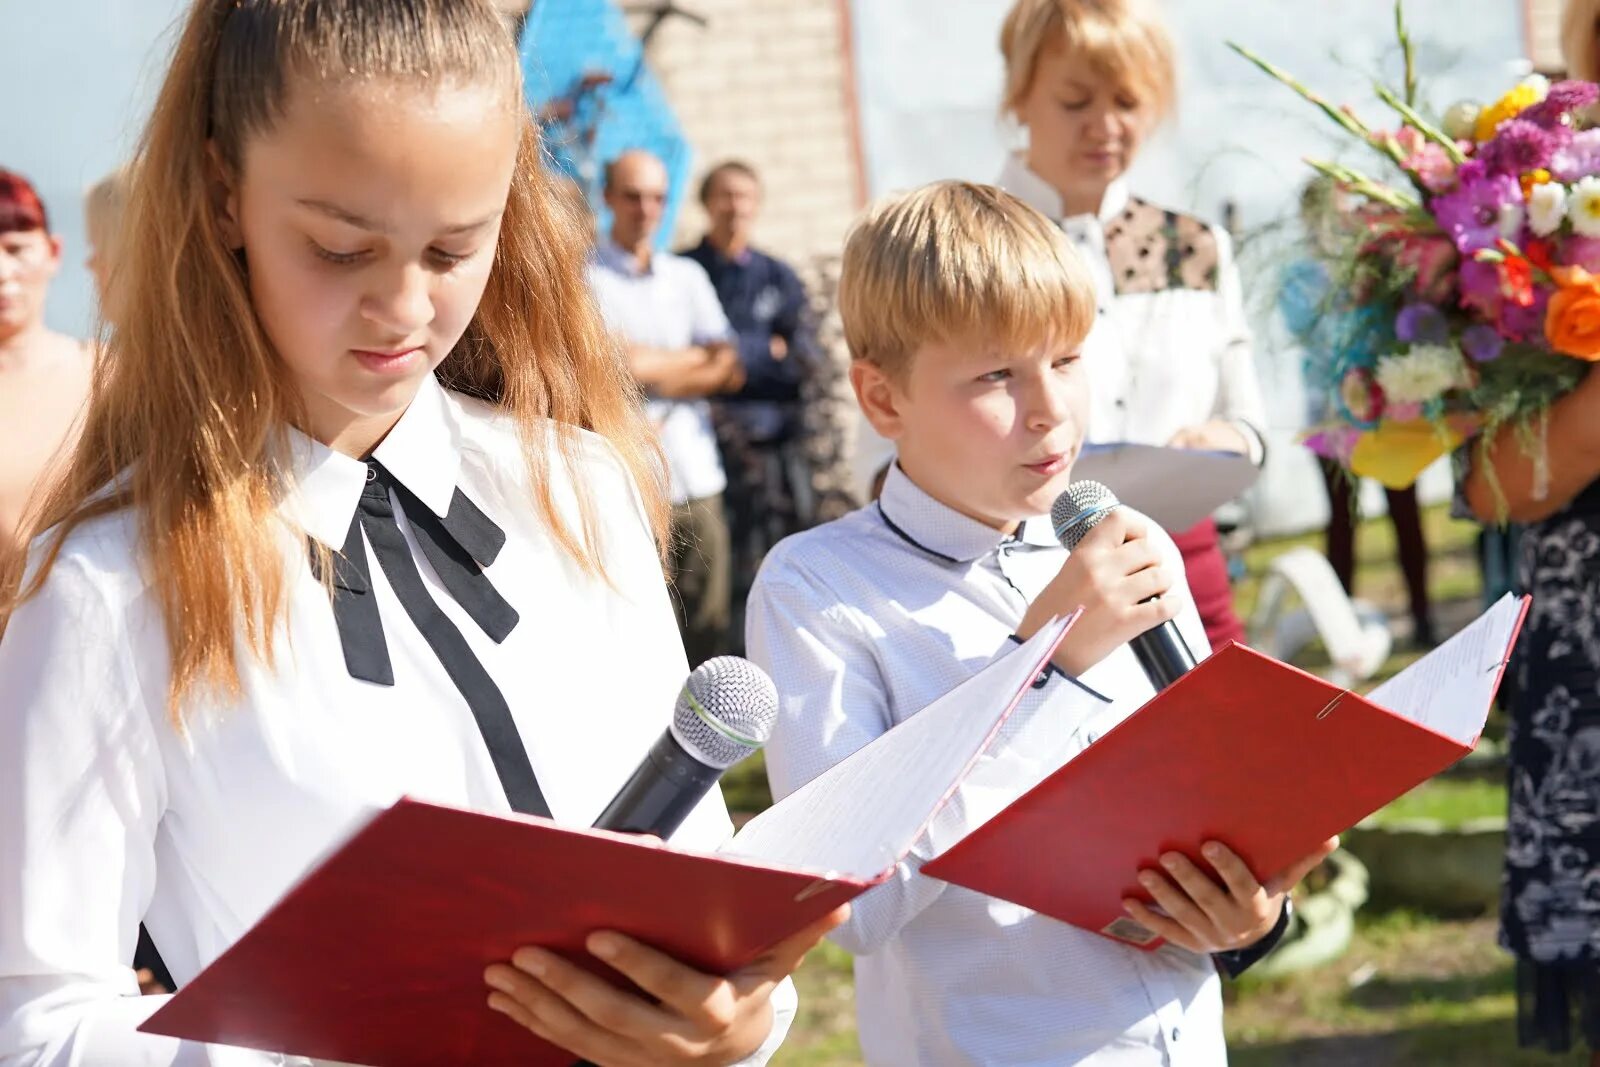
1170,345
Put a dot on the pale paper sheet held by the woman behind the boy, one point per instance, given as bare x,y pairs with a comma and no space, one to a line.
1175,487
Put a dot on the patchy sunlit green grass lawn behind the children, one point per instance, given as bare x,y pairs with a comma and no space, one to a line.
1412,991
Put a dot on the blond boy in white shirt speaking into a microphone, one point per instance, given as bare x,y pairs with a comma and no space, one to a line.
964,311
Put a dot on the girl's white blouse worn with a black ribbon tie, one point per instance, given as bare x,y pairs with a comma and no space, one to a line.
110,815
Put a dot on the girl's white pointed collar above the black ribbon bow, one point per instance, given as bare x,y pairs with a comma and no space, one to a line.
423,452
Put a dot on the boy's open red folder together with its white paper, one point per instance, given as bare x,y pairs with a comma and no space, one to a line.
1242,749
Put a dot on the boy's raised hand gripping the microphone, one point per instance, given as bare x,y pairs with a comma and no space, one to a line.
1113,575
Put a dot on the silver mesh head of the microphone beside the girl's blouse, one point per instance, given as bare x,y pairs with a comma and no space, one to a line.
726,711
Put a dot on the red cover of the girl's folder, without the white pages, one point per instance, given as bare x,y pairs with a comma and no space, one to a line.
378,957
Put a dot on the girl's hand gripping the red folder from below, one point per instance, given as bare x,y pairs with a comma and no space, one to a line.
694,1018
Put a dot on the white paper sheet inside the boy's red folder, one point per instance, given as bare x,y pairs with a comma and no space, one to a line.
1450,689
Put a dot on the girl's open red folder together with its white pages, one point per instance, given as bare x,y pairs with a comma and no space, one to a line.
377,957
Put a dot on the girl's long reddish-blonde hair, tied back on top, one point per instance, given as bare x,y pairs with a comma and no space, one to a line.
191,402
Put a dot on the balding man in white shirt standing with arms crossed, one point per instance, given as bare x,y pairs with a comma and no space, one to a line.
681,350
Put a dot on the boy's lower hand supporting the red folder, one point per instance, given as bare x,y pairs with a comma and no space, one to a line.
1207,917
